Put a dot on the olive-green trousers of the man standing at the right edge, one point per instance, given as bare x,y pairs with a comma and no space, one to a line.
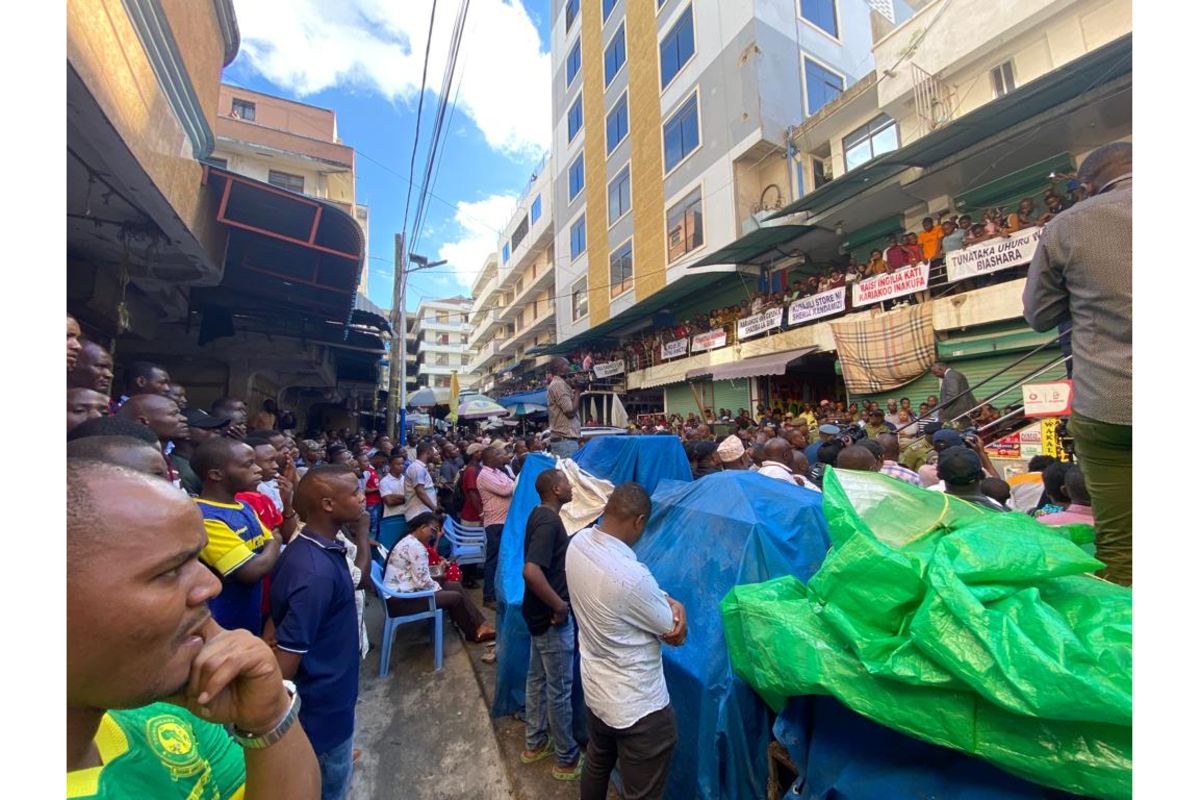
1106,455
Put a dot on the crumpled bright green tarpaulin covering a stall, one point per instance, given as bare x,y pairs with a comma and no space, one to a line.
974,630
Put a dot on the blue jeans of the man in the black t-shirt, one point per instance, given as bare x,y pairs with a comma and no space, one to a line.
549,690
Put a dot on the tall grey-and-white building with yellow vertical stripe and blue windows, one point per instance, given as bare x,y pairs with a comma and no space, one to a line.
671,123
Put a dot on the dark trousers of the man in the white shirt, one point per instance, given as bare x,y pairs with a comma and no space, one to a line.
644,751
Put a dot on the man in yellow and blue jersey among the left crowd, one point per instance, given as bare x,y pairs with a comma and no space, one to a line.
241,550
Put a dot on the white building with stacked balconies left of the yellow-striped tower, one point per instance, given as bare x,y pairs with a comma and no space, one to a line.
514,309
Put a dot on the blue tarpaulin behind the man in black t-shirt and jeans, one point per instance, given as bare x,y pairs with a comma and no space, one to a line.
646,460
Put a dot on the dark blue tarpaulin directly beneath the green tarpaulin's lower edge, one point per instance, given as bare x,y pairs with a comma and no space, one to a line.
843,755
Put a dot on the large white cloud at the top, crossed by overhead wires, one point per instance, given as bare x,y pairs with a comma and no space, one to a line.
309,46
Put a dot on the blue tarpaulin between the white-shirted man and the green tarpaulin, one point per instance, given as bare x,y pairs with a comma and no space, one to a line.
704,539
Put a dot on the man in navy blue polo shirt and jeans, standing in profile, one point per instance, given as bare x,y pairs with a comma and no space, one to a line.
316,623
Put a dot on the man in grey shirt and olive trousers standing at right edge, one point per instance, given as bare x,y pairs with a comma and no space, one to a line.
1083,273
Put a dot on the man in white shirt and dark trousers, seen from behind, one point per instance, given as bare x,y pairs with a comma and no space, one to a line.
623,618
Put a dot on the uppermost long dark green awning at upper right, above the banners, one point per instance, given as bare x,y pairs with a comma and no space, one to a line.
1075,80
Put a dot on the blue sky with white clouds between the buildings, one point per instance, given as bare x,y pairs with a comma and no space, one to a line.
364,61
